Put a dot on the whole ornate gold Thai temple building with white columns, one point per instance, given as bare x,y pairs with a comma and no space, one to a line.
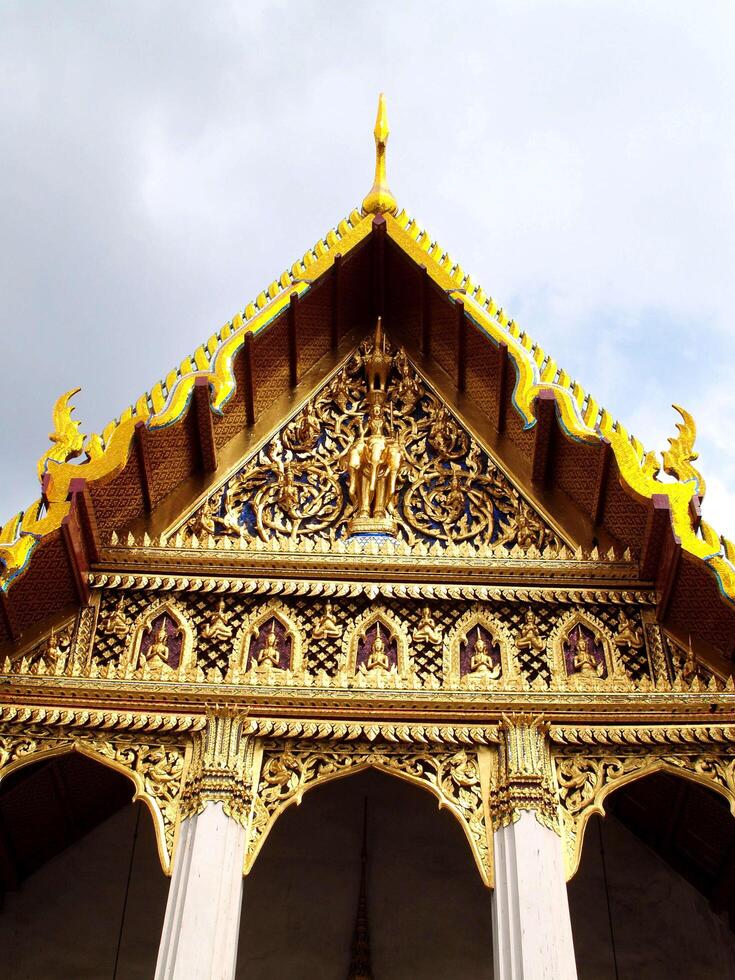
368,550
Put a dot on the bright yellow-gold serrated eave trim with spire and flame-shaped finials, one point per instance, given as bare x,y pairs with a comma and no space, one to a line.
579,414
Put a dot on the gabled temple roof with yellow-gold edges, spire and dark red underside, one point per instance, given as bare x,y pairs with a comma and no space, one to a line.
377,260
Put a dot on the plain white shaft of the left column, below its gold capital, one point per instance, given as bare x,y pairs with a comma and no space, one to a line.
202,924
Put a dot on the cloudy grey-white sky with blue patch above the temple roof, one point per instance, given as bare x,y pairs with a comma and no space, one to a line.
161,163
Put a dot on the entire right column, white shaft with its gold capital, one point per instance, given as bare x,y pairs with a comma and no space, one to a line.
532,930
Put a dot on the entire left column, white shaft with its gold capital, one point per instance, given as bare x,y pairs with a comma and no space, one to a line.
202,923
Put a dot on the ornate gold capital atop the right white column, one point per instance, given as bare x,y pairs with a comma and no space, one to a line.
525,778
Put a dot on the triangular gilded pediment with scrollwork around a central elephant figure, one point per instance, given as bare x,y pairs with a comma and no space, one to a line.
375,453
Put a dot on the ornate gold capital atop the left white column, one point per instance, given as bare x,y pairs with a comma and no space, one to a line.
220,765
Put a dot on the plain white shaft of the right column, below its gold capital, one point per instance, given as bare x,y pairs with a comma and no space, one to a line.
532,930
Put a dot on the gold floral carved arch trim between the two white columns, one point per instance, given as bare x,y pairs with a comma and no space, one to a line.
289,769
